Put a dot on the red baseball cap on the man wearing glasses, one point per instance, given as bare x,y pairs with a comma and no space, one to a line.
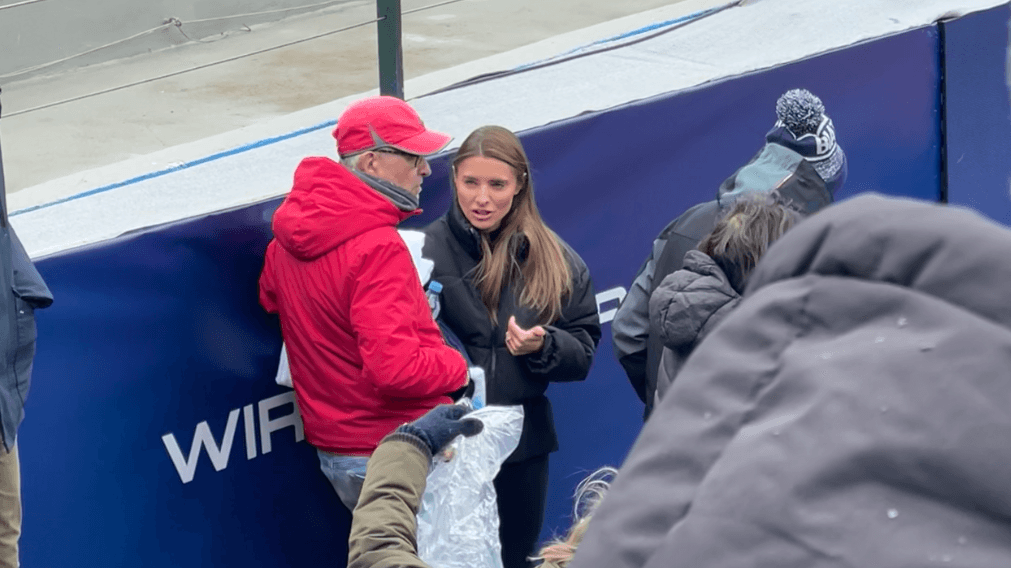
382,122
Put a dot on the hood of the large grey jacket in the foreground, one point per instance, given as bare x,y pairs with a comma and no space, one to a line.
947,252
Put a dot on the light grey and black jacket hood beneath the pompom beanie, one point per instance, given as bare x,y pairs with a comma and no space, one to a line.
778,168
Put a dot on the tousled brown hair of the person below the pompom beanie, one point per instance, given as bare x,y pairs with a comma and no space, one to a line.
743,236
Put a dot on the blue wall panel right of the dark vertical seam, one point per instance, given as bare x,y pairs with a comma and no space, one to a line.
979,116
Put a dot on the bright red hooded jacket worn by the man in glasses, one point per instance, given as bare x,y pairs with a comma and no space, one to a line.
364,353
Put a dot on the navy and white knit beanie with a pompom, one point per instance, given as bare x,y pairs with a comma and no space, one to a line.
803,127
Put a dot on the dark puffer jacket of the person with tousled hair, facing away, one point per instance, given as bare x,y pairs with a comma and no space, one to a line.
685,309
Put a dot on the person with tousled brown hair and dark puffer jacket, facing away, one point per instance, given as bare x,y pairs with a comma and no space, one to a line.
692,302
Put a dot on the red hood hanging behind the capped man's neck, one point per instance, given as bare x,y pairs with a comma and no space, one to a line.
328,207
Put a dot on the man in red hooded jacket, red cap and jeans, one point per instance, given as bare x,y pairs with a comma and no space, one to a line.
364,352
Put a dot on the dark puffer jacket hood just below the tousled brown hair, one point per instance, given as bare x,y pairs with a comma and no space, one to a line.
689,299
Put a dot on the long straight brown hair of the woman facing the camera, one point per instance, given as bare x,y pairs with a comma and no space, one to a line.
545,275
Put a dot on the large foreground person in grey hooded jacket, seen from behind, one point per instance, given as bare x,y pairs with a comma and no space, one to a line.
852,412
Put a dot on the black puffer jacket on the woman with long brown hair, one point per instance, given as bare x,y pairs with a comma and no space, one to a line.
569,350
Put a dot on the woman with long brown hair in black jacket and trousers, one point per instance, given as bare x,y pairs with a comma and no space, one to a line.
522,303
